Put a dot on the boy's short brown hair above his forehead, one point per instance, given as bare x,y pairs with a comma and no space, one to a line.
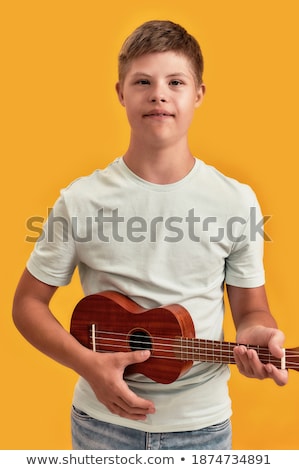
160,36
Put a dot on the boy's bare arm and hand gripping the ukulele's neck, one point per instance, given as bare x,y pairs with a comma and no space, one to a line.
255,325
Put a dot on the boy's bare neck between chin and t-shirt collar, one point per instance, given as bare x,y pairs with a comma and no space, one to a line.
159,166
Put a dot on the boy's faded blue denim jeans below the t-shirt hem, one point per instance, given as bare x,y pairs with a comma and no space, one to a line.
91,434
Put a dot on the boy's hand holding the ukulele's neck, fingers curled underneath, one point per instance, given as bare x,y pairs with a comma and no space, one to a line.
248,361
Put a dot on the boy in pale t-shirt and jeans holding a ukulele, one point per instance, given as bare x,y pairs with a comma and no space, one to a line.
161,227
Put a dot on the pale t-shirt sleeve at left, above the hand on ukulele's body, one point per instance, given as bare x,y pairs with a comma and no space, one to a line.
54,257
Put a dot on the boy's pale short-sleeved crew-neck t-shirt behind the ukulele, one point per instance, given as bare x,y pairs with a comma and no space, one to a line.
158,244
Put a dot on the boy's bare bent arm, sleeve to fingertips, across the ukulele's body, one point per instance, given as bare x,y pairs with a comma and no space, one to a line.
104,372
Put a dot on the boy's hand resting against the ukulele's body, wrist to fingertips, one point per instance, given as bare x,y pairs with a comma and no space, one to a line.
105,372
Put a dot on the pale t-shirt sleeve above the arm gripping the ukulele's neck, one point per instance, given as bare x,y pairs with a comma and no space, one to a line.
244,265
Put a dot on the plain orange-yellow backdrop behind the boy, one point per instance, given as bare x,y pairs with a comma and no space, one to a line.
61,119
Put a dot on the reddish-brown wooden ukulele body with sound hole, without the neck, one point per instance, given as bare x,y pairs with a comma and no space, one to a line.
111,322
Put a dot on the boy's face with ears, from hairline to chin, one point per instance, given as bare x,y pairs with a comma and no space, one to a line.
160,95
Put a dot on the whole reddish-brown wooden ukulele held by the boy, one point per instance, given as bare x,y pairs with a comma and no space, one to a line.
111,322
